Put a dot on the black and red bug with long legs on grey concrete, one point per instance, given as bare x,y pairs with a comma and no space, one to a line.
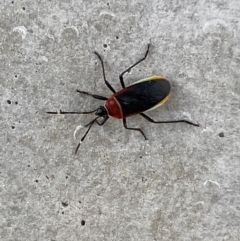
137,98
